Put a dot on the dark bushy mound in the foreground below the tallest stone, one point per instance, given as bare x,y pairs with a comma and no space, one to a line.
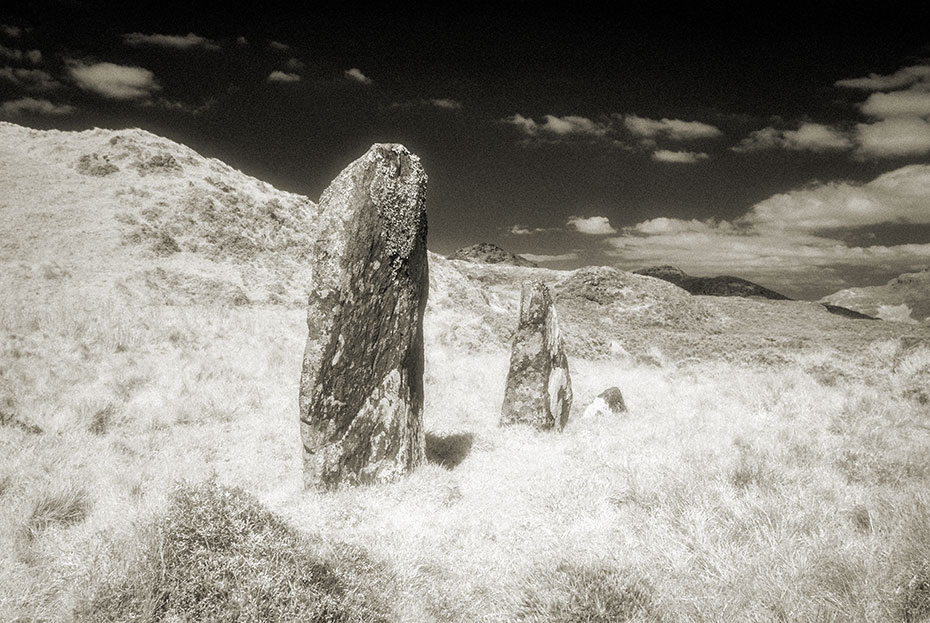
219,556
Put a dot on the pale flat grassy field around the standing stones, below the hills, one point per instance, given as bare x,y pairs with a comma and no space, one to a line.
733,490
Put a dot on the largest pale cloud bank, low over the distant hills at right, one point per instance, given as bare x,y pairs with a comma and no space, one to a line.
789,241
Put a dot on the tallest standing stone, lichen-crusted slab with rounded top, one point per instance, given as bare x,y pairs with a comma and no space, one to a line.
361,387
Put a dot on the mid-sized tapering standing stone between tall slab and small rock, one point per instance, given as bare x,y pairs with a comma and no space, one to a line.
539,387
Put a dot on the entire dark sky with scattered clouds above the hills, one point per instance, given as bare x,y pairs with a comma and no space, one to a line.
789,146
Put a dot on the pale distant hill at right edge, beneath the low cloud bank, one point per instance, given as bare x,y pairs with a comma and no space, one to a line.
906,298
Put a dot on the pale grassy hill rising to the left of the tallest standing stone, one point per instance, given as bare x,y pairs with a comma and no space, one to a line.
129,212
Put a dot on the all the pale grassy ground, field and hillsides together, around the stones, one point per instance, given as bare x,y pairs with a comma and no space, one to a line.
773,465
